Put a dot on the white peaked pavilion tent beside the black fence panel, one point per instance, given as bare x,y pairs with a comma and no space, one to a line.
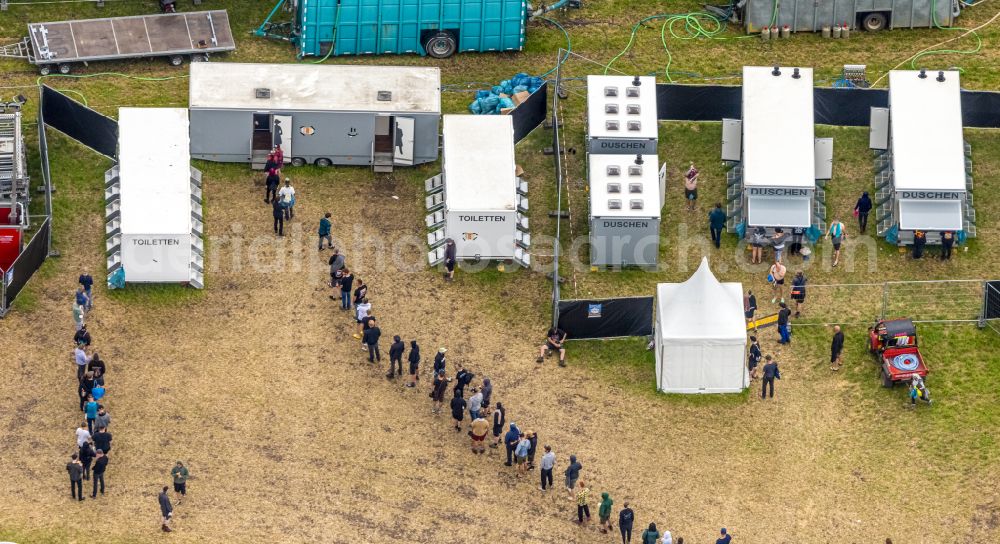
700,335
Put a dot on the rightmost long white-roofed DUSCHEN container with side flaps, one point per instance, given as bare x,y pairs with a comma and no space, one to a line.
923,167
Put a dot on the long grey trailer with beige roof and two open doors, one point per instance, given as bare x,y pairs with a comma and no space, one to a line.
380,116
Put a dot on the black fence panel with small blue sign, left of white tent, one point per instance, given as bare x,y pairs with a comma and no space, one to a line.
606,318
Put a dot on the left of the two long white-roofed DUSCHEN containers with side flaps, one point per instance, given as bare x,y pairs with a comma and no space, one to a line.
778,165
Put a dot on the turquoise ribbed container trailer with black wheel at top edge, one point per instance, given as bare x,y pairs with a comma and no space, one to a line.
438,28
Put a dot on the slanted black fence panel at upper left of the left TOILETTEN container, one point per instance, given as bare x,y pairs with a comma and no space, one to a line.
79,122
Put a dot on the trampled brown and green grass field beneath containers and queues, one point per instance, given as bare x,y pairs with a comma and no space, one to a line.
291,437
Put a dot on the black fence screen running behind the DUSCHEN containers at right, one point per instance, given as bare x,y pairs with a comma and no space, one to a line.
849,107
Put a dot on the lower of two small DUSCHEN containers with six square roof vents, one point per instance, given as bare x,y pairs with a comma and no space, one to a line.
626,196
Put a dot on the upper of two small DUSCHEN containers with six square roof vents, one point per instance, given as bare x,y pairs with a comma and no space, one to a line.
621,115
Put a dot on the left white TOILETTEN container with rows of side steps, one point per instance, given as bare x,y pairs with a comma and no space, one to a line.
154,218
